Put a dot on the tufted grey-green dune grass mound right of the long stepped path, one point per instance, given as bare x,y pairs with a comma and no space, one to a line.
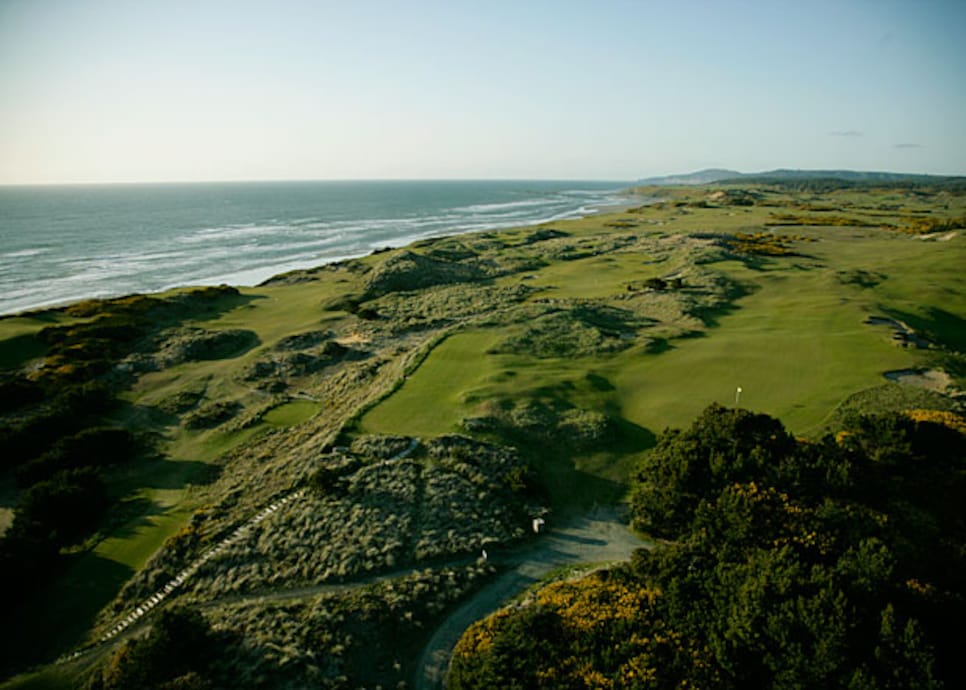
368,511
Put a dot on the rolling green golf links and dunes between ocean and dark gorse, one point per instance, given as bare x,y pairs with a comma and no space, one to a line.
301,474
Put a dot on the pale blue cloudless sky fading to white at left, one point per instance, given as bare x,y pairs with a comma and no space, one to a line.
141,91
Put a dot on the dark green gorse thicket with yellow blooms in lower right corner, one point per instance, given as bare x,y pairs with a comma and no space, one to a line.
830,564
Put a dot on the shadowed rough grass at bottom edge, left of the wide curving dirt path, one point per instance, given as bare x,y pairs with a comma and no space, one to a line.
369,637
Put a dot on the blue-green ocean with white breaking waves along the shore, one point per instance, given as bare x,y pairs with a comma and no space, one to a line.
65,243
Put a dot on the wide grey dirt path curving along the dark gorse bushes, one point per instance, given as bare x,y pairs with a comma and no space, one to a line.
597,537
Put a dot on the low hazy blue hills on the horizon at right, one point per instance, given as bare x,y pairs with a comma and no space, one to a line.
784,175
